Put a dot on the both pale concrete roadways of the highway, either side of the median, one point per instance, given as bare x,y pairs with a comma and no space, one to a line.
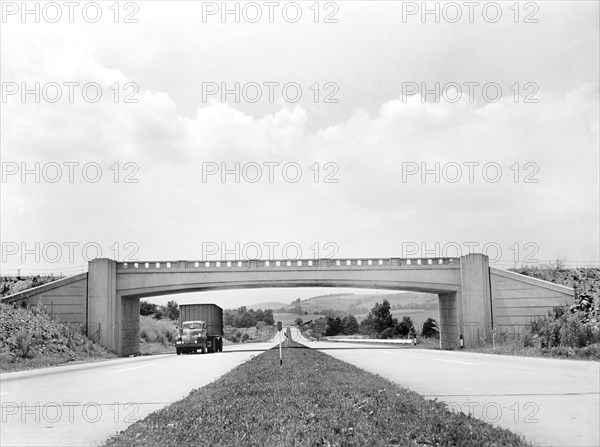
550,402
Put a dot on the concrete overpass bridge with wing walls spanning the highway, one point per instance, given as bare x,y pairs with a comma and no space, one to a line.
473,297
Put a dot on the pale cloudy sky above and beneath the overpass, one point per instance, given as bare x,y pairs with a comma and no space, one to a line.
163,130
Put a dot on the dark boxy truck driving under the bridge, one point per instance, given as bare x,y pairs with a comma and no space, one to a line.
200,329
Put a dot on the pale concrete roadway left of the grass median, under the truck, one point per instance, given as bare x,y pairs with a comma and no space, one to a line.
80,405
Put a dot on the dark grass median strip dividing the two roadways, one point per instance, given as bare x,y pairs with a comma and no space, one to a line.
314,400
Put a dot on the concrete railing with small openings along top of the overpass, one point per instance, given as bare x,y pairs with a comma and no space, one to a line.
291,263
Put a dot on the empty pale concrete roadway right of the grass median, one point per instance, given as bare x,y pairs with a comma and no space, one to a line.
550,401
